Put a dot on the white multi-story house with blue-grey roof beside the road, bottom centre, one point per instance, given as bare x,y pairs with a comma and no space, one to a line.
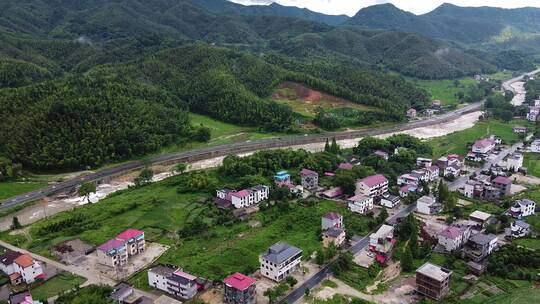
280,261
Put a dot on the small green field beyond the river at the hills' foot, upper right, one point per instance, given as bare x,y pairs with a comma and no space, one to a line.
444,90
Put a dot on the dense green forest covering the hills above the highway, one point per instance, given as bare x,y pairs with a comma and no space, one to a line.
86,83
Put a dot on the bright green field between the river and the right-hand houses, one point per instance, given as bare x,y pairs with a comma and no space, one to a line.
457,142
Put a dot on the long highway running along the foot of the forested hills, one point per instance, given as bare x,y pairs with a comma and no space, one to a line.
236,148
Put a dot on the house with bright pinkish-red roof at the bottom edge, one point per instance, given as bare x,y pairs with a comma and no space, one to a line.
239,289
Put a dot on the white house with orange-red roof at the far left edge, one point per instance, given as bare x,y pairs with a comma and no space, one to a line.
21,268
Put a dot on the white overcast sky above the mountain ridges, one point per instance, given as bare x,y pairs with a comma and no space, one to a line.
350,7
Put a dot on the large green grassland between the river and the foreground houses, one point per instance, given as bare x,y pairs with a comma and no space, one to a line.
161,212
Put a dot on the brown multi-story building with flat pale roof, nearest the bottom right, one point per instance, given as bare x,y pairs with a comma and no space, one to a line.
433,281
